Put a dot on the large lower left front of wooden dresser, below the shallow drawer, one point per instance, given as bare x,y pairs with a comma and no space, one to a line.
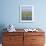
13,40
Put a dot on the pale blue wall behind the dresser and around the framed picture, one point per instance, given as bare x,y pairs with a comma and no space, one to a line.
9,13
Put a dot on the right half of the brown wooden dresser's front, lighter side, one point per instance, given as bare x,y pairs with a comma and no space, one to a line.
33,39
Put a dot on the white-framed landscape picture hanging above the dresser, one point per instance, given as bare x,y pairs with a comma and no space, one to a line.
26,13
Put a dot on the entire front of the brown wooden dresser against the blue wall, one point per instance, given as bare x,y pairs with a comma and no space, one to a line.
23,39
